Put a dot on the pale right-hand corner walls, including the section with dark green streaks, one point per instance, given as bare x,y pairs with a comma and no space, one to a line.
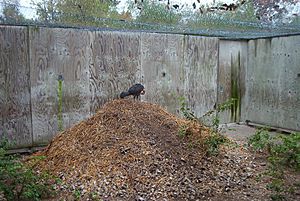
264,75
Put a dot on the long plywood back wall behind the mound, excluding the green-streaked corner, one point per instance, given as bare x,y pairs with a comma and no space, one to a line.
95,66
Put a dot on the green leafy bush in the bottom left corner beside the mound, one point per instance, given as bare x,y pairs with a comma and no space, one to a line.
19,182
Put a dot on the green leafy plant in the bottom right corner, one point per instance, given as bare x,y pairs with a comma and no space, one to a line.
283,152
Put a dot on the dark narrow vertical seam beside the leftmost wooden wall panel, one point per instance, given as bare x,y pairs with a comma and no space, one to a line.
29,66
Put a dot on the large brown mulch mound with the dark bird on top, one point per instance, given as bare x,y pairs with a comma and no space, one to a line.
133,150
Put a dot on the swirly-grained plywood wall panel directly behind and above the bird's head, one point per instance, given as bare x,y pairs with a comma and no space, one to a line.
115,65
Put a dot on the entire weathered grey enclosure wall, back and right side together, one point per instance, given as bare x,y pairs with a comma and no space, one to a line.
263,74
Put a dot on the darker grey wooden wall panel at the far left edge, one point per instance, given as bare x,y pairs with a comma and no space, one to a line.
15,117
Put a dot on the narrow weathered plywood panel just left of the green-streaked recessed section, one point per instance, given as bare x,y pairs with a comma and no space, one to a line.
201,69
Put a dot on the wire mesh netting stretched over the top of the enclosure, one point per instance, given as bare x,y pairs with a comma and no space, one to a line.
162,21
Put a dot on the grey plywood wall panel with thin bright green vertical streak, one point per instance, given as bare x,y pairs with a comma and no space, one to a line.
55,52
